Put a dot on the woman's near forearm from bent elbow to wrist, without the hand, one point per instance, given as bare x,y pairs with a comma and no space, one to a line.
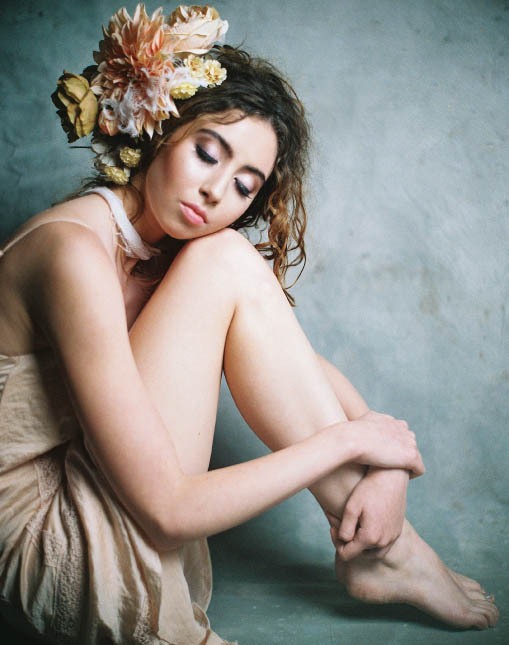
220,499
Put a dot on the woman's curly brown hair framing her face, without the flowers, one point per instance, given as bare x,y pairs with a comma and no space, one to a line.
254,87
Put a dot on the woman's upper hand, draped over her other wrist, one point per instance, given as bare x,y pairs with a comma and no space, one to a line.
383,441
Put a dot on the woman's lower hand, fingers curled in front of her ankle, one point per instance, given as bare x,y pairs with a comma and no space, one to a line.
373,516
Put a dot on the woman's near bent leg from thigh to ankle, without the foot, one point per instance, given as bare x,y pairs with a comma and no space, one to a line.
220,305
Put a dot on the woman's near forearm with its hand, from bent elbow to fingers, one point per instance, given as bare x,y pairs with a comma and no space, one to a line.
214,501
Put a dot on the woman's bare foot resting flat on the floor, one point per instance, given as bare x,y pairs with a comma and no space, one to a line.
411,572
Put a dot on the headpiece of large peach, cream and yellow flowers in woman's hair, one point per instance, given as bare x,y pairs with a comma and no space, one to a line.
143,64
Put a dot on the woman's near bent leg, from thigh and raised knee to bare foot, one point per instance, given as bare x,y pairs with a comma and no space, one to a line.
218,304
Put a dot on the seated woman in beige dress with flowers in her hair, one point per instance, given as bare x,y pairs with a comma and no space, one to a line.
123,306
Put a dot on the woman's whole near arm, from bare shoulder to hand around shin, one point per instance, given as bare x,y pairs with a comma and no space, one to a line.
77,300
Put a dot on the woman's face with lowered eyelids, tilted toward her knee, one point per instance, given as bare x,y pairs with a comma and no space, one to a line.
205,181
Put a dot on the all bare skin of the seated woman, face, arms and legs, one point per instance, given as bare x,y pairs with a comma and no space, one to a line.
160,358
